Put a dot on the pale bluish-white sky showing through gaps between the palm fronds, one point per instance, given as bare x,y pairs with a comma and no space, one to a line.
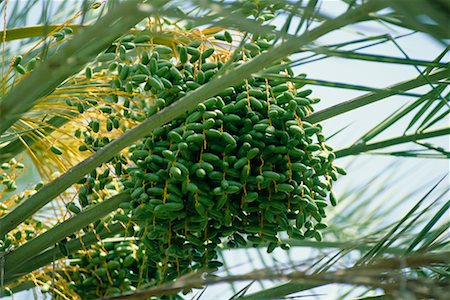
408,172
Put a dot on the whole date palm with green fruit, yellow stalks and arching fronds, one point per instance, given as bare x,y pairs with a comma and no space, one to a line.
181,140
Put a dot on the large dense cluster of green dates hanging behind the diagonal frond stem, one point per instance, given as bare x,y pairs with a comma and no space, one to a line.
243,166
